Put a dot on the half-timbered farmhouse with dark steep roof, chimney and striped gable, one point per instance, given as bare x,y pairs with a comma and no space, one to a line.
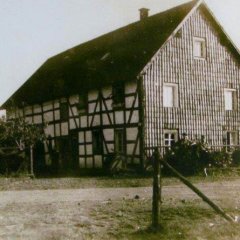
141,86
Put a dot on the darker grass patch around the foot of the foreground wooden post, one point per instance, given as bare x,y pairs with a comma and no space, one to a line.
131,219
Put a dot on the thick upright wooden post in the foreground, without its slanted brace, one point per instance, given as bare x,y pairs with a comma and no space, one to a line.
156,189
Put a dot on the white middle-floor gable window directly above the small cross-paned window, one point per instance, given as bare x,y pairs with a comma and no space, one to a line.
170,95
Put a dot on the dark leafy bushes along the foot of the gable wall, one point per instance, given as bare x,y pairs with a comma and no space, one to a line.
190,158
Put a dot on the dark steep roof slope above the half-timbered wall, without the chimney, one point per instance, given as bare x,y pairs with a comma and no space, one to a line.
117,56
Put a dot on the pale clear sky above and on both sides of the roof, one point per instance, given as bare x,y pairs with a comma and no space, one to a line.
34,30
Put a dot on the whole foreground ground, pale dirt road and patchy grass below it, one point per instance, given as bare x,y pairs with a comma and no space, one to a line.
115,213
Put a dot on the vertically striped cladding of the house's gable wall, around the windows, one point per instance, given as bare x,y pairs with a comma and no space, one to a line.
201,84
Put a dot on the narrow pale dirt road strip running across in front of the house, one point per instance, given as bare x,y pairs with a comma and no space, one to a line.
213,190
